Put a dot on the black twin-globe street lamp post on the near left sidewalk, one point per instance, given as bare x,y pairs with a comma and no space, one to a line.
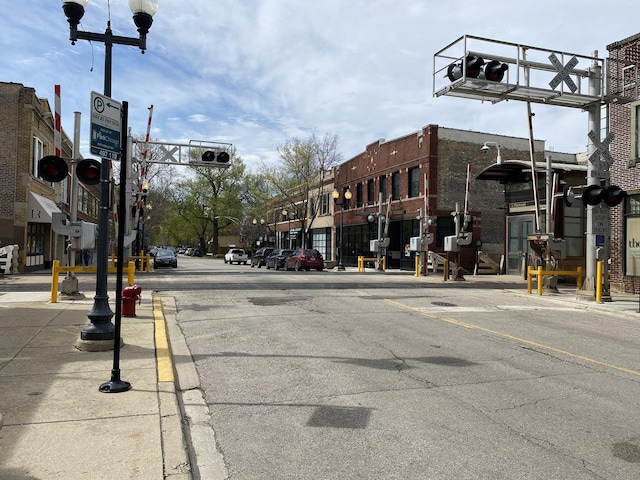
99,334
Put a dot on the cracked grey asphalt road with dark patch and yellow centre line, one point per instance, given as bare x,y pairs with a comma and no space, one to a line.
339,375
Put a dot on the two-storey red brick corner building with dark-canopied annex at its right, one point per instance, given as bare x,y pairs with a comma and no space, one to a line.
429,167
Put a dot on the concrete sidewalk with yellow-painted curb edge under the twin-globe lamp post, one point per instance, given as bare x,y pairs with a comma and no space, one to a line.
57,424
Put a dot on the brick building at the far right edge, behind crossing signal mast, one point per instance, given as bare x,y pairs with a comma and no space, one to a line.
624,119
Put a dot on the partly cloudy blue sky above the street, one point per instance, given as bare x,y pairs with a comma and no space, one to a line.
256,73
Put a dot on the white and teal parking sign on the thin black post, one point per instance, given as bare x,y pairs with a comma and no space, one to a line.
105,126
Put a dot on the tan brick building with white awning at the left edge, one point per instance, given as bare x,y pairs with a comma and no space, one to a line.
26,201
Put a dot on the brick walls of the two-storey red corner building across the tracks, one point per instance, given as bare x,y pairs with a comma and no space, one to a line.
443,155
